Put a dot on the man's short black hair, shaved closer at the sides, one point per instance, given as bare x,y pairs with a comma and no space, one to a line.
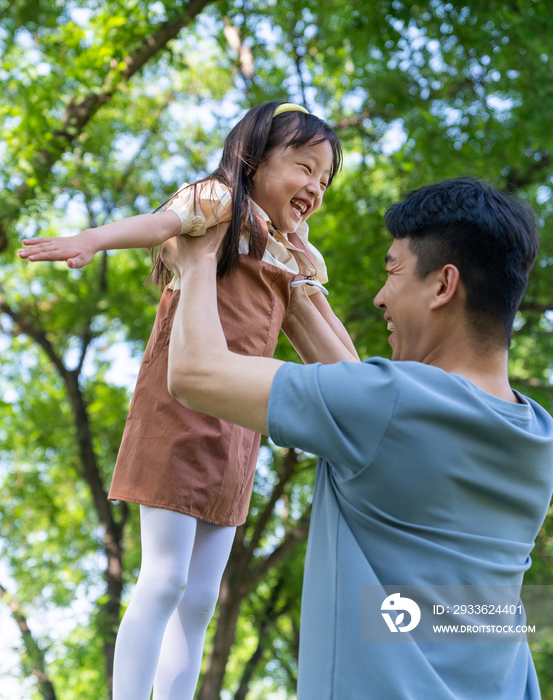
491,238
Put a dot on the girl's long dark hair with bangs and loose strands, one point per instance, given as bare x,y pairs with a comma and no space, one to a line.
249,143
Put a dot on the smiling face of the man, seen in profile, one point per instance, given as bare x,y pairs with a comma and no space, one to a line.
406,301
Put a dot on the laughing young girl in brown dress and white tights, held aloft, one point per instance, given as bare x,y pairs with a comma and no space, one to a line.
192,474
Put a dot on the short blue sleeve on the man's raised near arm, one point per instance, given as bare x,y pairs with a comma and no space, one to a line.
339,412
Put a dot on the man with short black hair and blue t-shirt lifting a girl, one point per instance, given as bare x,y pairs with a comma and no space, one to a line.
431,470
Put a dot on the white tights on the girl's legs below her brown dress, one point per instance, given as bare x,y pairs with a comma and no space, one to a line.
161,638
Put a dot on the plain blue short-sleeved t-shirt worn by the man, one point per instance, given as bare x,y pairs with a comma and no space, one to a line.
423,478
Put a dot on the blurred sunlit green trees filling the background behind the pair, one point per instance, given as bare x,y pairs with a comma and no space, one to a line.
106,108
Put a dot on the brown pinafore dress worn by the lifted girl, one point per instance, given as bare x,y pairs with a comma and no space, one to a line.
180,460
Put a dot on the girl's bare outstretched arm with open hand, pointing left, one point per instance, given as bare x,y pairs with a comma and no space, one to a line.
143,231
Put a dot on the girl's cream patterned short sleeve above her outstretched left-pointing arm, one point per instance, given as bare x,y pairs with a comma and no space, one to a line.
198,211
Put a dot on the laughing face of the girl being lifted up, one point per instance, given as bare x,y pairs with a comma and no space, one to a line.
289,185
